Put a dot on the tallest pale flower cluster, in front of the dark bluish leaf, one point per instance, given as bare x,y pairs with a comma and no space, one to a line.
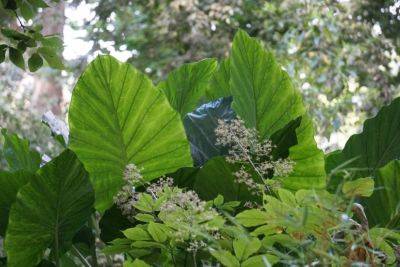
245,148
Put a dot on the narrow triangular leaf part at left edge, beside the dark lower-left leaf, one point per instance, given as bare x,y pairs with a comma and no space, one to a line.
10,183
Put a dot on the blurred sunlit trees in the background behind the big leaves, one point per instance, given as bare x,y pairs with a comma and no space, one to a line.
343,55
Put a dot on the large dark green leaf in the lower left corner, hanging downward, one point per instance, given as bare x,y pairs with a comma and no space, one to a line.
48,211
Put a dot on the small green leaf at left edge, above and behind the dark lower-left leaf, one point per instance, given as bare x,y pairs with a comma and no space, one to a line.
18,153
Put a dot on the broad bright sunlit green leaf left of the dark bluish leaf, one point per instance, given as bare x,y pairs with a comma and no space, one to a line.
117,117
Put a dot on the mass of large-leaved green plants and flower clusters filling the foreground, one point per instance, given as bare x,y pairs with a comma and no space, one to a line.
197,179
